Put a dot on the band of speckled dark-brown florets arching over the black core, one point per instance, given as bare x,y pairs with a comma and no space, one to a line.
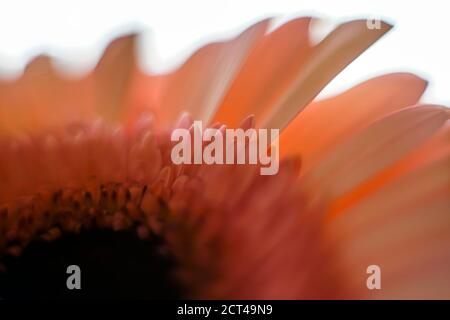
46,216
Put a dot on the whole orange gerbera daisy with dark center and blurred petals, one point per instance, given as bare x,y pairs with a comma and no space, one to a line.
363,180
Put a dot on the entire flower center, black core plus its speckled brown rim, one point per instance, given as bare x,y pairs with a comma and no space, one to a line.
110,232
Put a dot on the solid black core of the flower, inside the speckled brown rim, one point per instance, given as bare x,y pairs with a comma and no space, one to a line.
113,264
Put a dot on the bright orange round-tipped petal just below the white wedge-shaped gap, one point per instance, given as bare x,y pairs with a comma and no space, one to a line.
335,119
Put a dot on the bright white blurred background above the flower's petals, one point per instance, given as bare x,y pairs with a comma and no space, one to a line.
76,31
